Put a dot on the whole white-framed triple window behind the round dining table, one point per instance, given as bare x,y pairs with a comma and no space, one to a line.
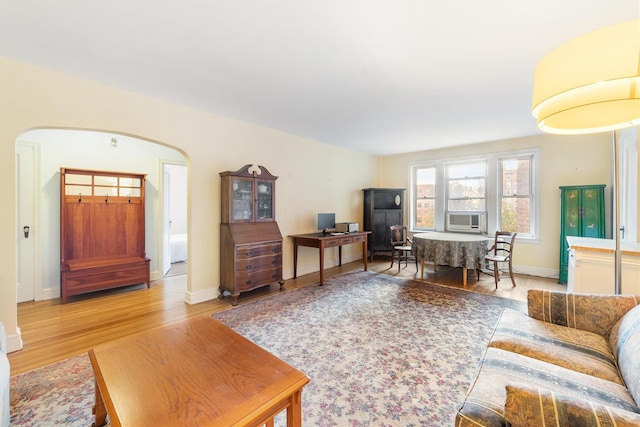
502,185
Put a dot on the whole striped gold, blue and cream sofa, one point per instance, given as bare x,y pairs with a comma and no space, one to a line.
574,360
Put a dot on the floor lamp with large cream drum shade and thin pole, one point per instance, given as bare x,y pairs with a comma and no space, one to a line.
591,84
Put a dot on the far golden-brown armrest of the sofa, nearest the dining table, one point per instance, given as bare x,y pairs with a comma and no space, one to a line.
590,312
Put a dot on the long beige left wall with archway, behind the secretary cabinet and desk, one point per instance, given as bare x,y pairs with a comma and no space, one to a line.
313,177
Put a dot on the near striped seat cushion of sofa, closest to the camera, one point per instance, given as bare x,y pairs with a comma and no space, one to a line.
484,404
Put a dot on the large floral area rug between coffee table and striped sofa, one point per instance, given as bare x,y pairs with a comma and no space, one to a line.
379,350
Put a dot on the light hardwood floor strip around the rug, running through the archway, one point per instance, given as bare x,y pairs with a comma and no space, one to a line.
52,331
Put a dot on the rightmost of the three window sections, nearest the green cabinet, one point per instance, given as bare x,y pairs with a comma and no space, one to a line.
515,198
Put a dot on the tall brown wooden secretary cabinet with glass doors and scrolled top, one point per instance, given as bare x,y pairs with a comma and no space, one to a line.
250,240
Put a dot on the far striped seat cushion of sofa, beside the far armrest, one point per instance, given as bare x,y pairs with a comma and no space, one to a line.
571,348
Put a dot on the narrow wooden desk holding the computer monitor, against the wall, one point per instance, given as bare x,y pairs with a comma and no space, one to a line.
322,241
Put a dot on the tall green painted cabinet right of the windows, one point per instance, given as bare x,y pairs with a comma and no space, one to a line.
582,214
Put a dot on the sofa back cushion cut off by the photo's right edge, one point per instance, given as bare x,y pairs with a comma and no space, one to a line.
625,342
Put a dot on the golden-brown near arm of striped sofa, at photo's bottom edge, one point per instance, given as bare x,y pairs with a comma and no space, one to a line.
529,406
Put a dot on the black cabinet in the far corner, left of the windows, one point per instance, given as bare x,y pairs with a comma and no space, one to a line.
383,207
